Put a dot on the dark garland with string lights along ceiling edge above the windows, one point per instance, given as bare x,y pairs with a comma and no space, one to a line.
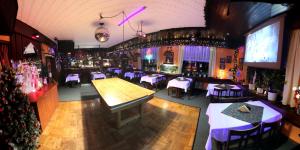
181,36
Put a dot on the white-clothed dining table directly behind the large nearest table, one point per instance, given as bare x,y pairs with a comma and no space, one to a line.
227,87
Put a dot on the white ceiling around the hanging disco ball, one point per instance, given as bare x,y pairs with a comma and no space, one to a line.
77,20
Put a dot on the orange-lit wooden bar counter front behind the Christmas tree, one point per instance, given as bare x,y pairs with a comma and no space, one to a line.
44,102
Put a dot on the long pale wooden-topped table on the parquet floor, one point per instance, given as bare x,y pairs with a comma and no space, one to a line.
118,95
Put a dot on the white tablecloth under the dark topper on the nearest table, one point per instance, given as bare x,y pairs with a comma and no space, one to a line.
221,123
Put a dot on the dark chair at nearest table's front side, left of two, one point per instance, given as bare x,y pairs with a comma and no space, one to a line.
244,135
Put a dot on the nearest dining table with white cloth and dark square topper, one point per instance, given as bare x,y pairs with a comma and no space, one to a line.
223,117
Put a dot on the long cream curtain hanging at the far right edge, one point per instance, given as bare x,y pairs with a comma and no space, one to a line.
292,73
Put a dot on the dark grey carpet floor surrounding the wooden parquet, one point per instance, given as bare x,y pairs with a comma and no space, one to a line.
198,99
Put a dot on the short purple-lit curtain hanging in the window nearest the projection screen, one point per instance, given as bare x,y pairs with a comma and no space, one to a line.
196,53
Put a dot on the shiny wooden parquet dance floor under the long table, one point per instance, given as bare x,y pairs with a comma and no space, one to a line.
80,125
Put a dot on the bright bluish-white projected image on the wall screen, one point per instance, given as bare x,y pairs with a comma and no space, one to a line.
262,45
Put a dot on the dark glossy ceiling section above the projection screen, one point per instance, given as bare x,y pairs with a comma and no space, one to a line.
239,16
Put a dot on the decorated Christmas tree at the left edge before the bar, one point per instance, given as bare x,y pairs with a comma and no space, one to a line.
19,126
